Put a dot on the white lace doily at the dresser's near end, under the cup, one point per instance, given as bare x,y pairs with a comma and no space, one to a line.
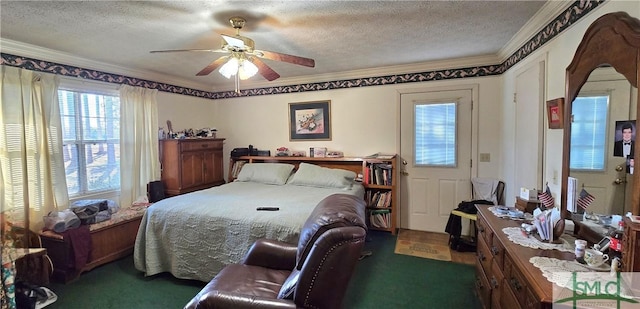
562,272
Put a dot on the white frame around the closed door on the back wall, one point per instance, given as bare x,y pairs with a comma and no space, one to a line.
474,88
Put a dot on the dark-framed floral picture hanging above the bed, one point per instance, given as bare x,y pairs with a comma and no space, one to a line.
310,121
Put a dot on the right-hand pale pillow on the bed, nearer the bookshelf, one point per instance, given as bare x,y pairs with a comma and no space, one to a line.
318,176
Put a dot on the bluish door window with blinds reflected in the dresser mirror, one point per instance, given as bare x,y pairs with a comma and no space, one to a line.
589,132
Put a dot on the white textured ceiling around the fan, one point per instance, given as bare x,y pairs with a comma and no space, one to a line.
342,36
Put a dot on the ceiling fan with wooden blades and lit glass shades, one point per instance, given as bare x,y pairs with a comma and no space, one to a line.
243,60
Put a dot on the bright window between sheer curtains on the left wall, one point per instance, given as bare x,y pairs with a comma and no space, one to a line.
91,139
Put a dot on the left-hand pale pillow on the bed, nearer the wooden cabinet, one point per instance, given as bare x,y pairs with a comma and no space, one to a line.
269,173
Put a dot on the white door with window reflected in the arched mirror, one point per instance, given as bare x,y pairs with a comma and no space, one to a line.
599,177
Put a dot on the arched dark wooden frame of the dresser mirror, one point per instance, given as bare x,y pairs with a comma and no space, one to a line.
613,39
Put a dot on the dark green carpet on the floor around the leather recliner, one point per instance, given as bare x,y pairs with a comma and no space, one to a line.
383,280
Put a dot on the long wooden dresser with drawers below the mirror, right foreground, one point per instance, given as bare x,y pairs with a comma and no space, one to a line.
504,276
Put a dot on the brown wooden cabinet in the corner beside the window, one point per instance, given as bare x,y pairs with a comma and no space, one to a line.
191,164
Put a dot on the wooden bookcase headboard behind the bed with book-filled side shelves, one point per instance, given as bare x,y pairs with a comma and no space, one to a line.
378,179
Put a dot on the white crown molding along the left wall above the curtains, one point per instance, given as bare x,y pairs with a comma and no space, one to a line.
46,54
